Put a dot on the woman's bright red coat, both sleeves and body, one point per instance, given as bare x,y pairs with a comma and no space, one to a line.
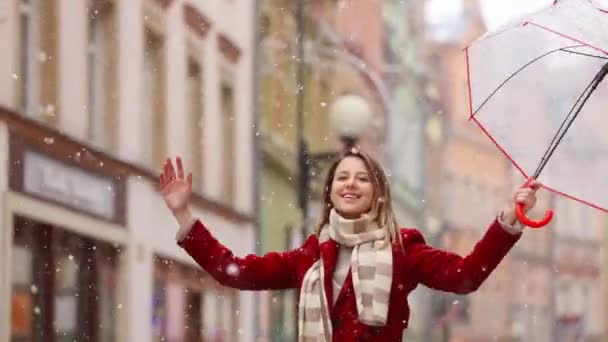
417,263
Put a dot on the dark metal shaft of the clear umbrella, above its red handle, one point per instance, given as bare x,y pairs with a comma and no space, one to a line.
599,77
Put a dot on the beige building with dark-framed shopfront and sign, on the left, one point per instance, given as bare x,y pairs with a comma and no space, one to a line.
93,96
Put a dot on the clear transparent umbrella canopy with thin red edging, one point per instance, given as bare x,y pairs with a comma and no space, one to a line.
536,90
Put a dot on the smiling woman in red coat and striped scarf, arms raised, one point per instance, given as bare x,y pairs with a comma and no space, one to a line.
356,271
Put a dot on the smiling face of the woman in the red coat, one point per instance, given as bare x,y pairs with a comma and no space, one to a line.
352,190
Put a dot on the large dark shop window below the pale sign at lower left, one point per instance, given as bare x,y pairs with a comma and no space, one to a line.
63,285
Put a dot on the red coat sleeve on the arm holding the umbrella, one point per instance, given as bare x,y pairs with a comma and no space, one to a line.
450,272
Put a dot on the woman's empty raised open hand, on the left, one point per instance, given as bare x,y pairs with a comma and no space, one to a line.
176,189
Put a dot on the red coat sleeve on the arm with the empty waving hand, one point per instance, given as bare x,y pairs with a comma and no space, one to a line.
272,271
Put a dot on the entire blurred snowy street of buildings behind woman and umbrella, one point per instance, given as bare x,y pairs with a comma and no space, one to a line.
257,97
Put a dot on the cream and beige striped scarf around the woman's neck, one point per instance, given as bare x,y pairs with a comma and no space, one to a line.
372,274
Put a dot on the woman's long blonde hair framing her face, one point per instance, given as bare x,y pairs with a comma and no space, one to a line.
382,209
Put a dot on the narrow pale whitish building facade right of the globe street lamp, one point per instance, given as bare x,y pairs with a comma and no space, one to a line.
405,71
